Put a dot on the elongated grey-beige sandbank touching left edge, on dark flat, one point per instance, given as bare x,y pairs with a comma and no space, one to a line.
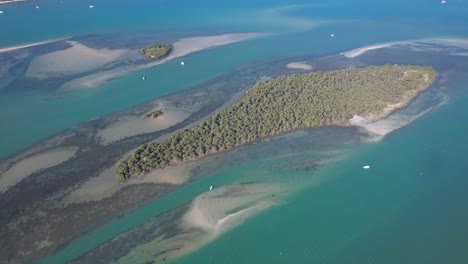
26,166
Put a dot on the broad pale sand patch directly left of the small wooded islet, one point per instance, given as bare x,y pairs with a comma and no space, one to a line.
76,59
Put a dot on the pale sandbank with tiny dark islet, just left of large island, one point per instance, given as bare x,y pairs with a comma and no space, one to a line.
135,125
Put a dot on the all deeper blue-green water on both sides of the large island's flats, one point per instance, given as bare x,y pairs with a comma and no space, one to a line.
410,207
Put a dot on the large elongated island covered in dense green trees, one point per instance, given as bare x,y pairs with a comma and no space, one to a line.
285,104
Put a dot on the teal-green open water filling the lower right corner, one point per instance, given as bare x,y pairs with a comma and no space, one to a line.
408,208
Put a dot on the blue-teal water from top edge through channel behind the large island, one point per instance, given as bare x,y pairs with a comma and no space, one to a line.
294,28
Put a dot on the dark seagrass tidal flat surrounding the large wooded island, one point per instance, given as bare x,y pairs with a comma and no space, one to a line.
44,212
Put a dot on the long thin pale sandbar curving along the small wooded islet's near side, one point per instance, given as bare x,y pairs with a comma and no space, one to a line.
181,48
